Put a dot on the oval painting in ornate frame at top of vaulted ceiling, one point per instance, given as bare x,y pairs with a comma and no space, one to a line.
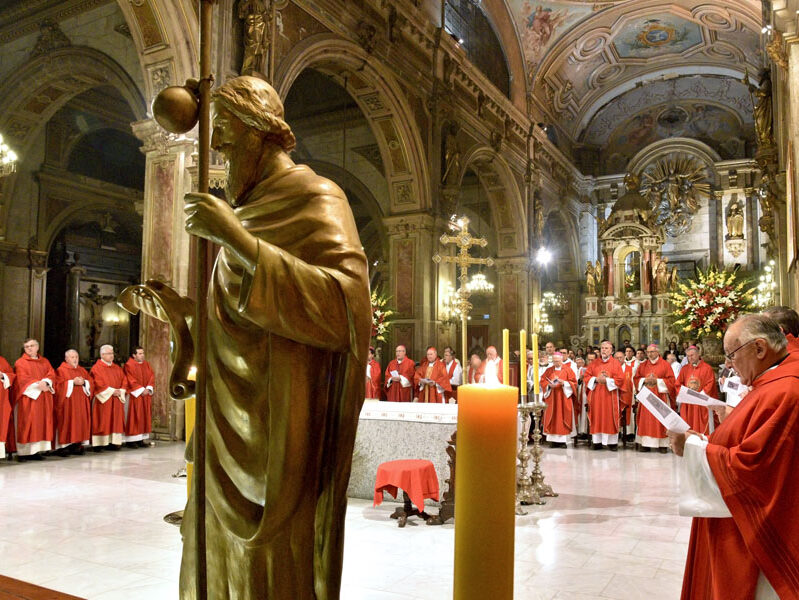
657,35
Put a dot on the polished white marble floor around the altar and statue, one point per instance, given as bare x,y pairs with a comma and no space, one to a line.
92,526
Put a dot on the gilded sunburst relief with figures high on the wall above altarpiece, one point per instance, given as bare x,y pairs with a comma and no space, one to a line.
675,186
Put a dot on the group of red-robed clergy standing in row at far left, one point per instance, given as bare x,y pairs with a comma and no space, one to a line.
65,410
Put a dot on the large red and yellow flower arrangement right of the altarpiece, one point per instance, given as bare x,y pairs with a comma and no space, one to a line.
707,304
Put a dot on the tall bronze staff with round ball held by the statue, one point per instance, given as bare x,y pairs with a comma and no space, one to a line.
177,109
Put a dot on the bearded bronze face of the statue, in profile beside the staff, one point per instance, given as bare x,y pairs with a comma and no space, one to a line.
242,146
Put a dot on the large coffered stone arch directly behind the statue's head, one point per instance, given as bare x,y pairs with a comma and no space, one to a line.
377,93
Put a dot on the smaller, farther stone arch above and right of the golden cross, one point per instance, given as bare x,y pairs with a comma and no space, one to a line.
507,209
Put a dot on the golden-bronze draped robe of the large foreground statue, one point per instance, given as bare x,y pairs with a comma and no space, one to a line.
287,352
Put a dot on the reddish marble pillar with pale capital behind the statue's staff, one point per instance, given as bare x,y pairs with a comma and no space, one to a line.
164,243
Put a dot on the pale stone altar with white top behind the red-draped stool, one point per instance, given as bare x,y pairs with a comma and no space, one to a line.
400,430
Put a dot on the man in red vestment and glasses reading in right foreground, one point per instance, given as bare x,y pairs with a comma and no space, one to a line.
740,485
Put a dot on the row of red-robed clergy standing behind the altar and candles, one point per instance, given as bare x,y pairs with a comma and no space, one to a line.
590,393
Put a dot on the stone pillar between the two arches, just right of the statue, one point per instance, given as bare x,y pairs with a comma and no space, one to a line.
412,286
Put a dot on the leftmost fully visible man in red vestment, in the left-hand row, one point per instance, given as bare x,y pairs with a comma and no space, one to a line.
33,402
